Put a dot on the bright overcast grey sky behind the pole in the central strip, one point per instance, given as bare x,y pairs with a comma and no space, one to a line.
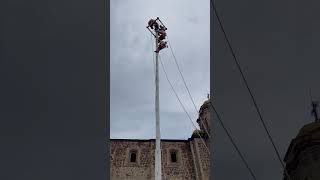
132,70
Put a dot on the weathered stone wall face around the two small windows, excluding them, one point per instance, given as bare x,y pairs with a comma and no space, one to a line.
122,168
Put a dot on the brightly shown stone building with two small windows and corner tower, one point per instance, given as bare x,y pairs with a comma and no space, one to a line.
188,159
